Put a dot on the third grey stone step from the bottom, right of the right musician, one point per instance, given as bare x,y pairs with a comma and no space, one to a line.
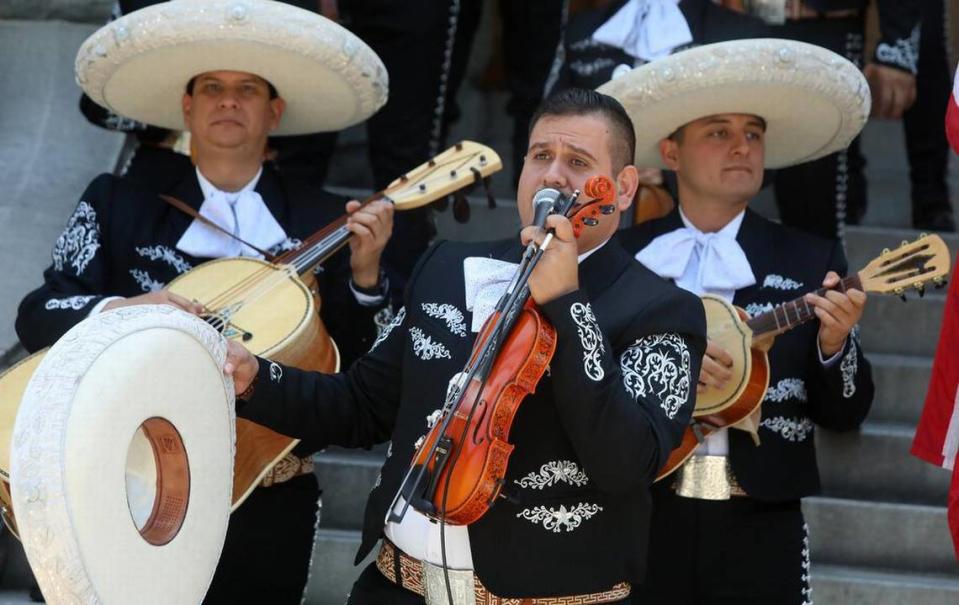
874,463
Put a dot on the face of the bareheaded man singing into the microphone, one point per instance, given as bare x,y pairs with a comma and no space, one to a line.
565,151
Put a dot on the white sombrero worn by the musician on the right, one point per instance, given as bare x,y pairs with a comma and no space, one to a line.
814,102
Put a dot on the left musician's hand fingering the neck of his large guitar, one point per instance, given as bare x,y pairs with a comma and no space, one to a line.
372,226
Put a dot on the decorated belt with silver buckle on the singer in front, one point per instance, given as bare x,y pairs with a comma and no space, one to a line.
428,580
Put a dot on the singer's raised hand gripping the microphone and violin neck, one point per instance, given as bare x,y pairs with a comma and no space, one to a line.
558,271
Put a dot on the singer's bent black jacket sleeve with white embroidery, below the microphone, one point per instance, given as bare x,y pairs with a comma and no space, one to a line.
625,410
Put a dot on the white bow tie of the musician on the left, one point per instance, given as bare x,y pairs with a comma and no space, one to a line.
247,217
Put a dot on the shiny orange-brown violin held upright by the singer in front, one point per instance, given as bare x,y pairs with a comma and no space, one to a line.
458,469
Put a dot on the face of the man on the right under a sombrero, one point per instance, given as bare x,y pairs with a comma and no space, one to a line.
719,157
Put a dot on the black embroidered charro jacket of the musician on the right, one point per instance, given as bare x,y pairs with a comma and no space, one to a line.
802,391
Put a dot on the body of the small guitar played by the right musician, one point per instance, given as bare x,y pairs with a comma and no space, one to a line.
717,408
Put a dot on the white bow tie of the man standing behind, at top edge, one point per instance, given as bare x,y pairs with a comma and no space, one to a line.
646,29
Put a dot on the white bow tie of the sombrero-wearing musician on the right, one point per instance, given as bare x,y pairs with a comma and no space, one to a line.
723,267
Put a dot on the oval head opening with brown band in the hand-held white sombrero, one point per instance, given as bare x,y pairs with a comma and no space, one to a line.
157,481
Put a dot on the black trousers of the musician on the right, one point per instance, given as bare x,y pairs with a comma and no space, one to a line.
727,552
